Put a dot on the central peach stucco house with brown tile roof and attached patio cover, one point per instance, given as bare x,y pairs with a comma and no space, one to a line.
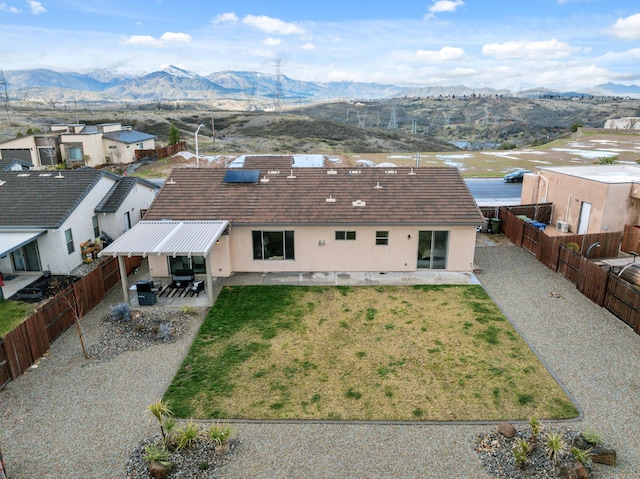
307,220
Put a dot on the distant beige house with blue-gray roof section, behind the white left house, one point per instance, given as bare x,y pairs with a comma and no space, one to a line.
86,145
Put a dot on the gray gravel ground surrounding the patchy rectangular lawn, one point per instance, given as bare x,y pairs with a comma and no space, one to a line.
77,418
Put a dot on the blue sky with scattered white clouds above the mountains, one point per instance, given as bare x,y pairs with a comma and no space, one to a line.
566,45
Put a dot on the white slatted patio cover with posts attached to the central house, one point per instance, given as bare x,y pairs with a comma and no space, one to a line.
170,239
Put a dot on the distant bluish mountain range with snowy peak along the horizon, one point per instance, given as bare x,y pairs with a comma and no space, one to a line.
173,83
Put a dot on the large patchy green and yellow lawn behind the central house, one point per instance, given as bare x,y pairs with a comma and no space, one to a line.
435,353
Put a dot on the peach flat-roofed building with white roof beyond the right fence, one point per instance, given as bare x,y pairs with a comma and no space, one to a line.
586,199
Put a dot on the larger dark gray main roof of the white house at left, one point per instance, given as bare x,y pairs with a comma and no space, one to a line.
44,199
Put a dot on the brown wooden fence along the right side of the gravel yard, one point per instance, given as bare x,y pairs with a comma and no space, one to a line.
599,285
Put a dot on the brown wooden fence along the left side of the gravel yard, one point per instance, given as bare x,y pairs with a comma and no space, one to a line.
22,347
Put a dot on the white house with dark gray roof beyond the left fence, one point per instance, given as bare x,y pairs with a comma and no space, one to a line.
45,216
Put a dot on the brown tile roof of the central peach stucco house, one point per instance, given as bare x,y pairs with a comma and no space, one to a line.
420,196
